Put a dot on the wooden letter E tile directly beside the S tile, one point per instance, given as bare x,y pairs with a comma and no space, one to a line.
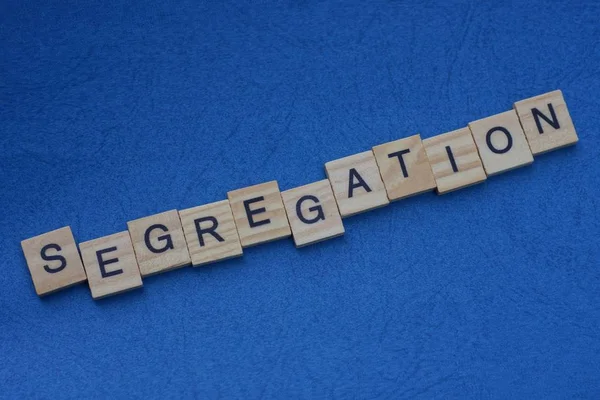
110,265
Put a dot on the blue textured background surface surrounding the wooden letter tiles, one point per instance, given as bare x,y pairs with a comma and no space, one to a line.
110,112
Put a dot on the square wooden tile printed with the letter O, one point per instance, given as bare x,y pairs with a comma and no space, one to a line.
501,143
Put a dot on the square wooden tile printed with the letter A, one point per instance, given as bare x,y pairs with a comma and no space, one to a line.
356,183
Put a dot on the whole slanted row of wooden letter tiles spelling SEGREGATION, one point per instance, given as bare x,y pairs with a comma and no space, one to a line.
311,213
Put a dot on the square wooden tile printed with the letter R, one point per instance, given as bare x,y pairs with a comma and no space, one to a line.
210,233
